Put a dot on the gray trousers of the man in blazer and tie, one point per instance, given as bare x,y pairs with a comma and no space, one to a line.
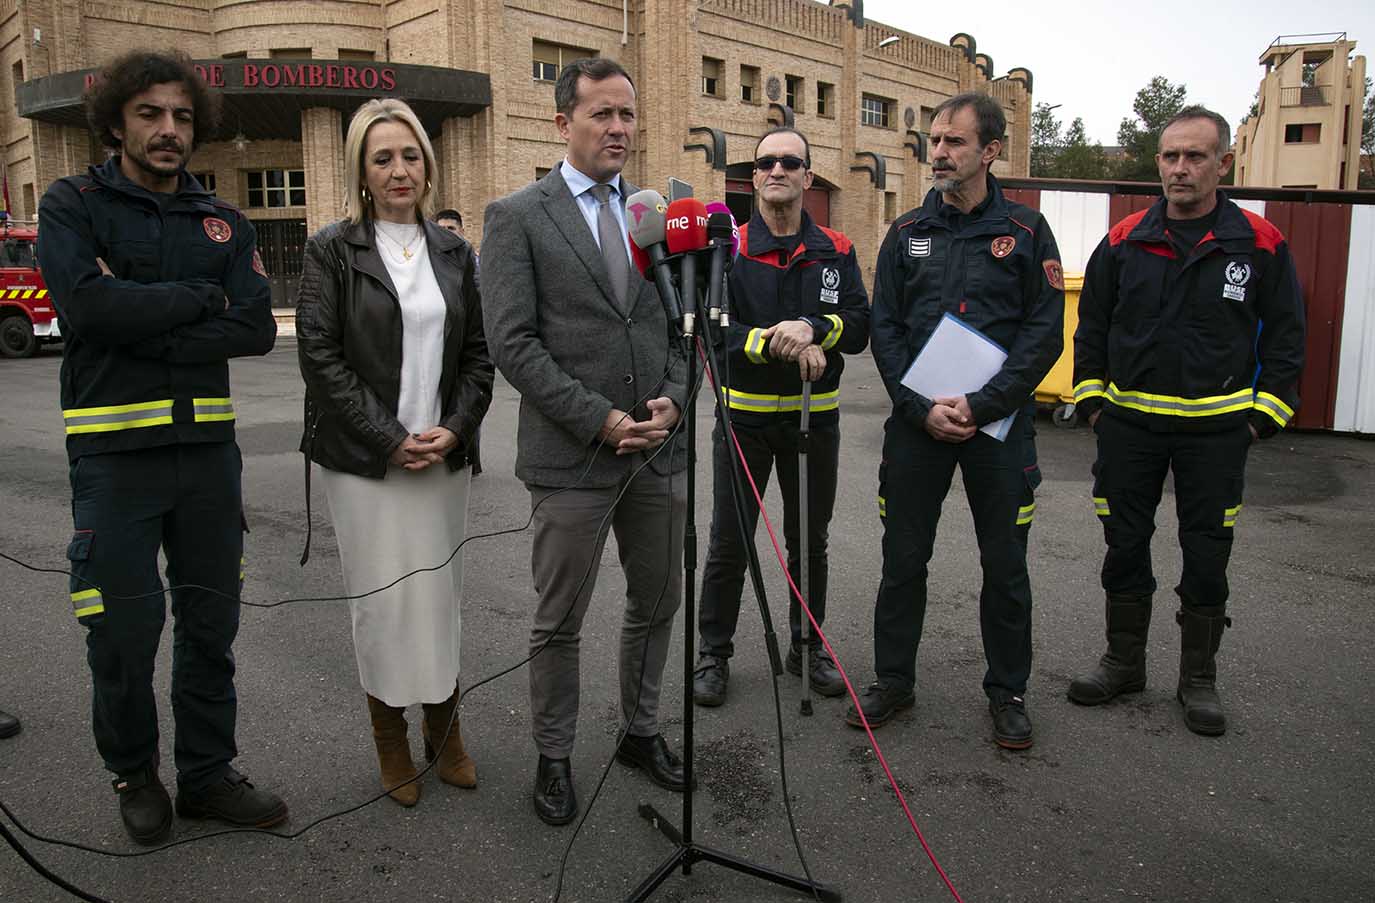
650,535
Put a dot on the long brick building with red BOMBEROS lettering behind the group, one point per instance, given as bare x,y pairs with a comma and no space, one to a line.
712,76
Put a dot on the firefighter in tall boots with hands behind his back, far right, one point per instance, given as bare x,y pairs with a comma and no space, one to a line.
1189,350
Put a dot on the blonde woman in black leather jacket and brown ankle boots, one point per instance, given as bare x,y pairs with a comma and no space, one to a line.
398,379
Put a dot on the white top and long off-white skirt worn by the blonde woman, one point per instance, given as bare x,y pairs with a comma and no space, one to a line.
406,637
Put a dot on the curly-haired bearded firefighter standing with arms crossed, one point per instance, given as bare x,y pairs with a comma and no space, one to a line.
157,285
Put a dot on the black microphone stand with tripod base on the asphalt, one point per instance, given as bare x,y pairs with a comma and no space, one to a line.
687,851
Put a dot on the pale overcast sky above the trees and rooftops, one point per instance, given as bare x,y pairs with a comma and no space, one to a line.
1095,63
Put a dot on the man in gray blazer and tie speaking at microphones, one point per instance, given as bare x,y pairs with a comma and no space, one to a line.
586,343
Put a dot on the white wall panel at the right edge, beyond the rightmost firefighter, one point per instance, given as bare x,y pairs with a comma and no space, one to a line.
1355,405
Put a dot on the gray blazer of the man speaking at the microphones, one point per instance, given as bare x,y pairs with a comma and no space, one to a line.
562,340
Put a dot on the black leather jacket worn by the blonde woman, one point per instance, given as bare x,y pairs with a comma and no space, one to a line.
349,328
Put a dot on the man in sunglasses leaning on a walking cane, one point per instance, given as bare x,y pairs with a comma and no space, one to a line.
798,303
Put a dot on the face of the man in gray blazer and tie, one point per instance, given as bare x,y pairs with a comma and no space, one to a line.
602,130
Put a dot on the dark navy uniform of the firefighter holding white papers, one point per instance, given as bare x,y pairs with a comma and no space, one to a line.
998,270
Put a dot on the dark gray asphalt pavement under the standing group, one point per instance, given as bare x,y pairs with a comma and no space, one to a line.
1119,803
